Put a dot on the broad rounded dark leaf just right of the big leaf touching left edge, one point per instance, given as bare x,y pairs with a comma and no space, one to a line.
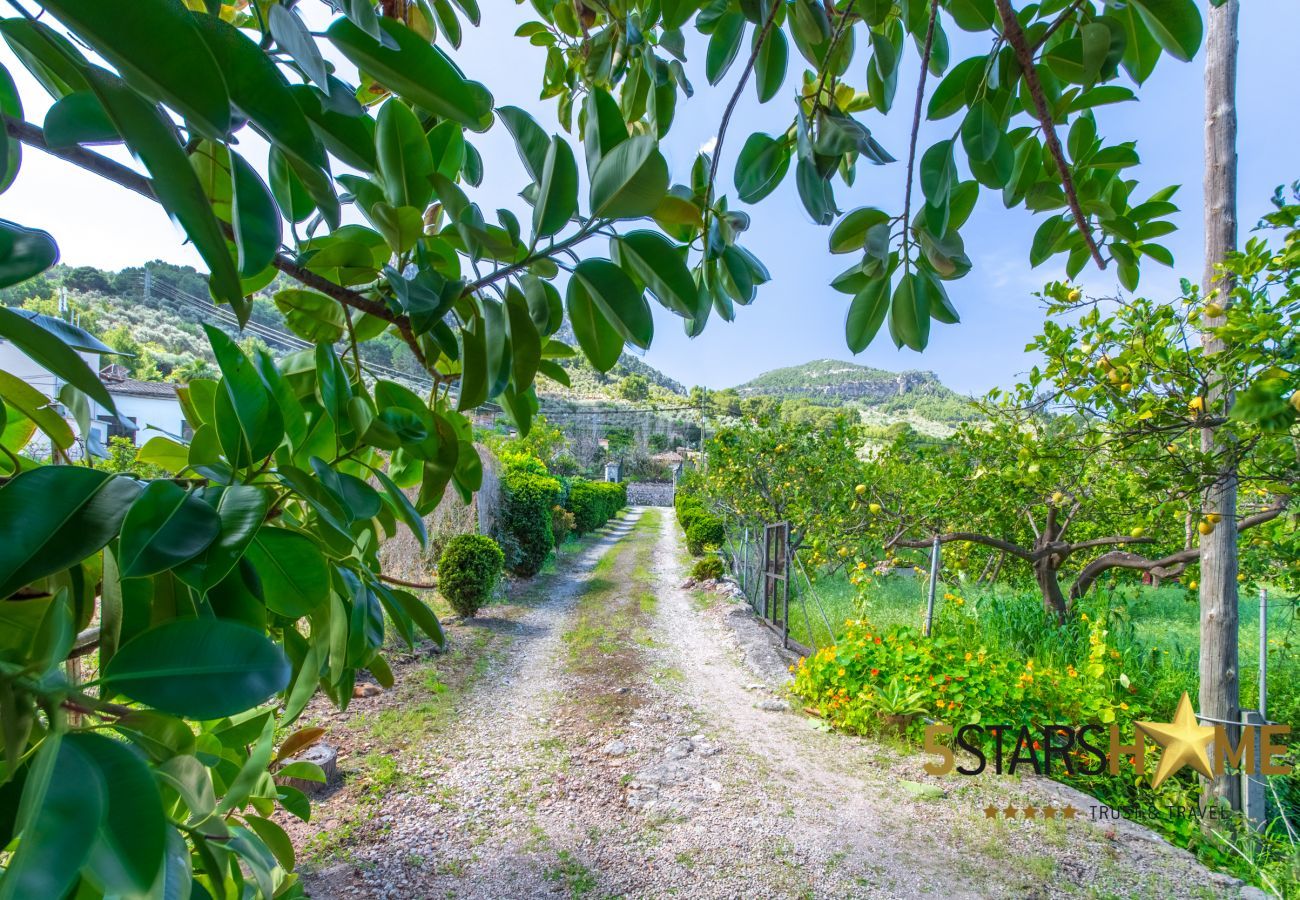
166,526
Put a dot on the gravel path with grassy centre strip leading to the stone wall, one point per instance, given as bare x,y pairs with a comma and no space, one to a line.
635,741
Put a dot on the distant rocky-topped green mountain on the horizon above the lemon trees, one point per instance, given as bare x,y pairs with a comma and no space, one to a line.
890,396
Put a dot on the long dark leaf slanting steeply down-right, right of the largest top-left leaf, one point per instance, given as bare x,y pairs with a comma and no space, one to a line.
261,92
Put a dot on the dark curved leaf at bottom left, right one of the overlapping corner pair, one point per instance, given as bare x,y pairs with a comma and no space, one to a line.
128,853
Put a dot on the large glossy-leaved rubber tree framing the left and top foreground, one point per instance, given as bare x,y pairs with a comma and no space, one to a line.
219,602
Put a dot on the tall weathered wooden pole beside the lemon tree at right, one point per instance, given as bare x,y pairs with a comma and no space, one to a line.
1219,664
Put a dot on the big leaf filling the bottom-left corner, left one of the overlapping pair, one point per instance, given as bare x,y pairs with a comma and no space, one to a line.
64,802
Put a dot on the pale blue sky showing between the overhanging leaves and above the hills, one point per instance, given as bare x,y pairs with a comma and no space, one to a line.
798,317
